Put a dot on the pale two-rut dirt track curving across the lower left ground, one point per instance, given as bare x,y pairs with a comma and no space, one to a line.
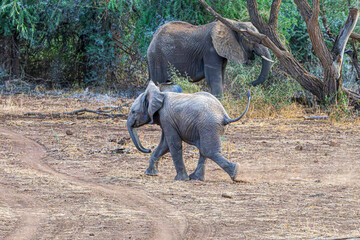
165,222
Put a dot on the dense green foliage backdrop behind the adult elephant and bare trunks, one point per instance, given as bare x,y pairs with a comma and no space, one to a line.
103,42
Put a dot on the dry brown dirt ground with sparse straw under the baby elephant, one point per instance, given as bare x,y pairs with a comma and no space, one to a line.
302,180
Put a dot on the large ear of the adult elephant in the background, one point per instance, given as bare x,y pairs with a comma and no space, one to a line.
226,44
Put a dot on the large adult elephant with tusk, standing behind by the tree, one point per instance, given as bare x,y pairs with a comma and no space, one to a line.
202,52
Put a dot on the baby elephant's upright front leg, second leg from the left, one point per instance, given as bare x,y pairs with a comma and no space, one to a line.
175,145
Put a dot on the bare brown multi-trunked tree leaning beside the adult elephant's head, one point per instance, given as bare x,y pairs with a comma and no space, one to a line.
323,87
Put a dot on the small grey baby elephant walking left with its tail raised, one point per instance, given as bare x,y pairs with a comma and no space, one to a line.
198,119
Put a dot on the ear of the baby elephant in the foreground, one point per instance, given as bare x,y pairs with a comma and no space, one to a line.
155,99
